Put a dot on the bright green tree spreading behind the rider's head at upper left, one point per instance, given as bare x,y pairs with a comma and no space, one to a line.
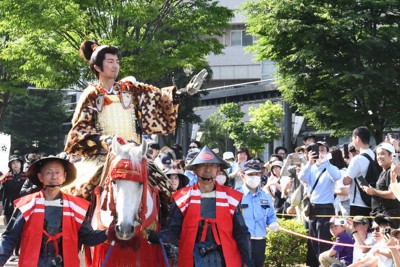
158,39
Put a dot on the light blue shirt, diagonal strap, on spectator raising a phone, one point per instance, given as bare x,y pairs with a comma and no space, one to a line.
324,191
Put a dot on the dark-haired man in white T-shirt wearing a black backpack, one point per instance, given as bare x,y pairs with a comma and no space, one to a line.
358,167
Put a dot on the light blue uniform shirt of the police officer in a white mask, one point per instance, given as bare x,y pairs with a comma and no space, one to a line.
258,211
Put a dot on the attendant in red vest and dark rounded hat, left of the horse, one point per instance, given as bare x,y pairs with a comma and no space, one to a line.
49,223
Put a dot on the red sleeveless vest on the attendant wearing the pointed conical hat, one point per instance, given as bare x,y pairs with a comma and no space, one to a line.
188,200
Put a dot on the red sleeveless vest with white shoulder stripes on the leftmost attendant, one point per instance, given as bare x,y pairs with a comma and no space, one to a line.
32,209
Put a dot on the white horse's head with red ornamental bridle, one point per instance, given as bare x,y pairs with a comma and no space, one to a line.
128,177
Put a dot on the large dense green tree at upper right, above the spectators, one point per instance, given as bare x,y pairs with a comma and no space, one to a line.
337,61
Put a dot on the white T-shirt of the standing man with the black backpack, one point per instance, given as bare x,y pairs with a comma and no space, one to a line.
358,166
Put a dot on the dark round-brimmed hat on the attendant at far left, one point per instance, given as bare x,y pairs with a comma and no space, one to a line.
35,168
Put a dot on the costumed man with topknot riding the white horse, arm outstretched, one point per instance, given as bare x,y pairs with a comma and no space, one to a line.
124,108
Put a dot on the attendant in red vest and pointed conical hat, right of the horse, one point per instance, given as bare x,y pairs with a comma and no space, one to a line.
206,219
